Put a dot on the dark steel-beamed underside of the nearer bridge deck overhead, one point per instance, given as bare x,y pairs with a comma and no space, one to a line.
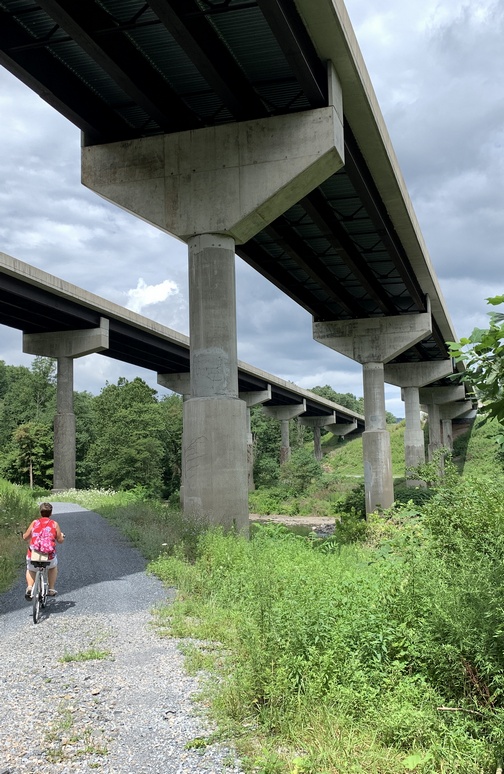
121,69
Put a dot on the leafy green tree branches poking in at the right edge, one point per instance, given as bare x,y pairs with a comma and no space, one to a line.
483,357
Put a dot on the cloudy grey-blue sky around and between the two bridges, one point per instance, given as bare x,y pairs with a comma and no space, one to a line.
438,70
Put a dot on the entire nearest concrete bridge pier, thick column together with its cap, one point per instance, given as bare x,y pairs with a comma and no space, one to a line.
215,187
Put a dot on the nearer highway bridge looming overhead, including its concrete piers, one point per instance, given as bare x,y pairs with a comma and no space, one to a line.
250,127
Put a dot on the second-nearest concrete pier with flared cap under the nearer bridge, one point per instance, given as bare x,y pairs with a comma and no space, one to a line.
373,342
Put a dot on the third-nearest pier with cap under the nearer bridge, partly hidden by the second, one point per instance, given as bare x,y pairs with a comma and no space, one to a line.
410,377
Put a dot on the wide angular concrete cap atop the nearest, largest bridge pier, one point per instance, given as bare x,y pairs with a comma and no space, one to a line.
255,169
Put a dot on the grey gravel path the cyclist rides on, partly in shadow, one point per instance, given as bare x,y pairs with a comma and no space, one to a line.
133,711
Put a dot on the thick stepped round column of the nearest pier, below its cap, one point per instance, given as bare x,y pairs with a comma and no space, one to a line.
215,451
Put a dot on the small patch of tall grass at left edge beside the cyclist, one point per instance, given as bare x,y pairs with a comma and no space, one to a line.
18,508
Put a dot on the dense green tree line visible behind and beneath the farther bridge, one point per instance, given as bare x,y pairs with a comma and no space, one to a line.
126,437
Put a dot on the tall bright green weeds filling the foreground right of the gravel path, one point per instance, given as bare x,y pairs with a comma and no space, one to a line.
387,657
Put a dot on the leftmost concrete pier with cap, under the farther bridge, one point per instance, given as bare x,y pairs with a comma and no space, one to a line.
65,346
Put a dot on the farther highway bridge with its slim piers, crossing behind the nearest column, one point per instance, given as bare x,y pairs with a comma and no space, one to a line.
53,314
